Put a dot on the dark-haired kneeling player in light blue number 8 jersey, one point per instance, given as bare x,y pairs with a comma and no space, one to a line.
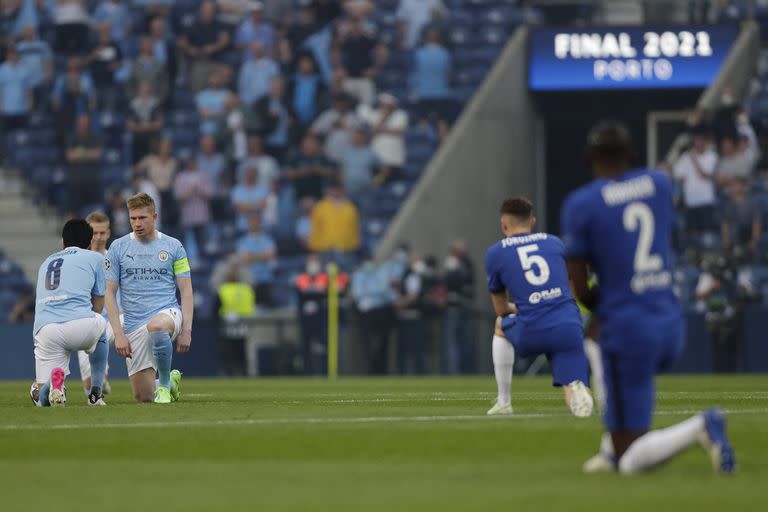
70,296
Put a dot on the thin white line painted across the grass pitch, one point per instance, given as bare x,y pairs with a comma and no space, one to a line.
342,420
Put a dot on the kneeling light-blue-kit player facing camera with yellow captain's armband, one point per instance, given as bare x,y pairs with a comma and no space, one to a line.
147,266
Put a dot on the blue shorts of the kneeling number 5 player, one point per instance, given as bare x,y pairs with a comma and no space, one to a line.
563,344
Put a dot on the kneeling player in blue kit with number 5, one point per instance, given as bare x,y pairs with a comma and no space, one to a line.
529,268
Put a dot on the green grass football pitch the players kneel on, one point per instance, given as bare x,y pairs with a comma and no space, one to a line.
361,444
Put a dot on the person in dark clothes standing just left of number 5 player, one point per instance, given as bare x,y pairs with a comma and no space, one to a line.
458,346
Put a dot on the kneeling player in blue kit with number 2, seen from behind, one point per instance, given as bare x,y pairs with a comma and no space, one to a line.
620,225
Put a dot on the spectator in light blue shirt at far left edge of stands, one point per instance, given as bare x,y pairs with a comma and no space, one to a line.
15,92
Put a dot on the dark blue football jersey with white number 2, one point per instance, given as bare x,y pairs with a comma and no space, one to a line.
623,229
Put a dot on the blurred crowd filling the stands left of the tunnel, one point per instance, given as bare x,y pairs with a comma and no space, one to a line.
288,135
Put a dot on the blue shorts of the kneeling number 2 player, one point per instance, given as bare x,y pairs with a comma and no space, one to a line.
631,357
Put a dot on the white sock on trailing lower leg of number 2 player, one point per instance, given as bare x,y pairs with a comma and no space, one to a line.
658,446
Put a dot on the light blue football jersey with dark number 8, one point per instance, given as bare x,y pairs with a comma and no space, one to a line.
66,282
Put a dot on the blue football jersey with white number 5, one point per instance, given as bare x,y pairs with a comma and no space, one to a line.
531,268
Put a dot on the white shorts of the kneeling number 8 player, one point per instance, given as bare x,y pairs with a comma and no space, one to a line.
54,343
